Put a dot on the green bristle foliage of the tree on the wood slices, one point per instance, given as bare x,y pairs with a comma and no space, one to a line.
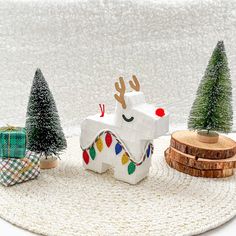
212,108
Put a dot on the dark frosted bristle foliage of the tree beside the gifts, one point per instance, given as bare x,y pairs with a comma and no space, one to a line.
45,134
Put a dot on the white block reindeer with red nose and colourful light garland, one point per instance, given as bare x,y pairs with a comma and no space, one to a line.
123,140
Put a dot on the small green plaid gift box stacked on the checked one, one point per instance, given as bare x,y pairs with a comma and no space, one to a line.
12,142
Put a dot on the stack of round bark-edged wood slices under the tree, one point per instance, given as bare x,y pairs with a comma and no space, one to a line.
212,160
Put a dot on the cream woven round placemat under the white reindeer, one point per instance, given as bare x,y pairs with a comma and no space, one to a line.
72,201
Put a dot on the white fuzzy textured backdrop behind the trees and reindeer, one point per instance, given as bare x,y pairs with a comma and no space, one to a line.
83,46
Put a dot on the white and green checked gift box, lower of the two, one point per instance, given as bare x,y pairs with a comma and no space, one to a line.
14,171
